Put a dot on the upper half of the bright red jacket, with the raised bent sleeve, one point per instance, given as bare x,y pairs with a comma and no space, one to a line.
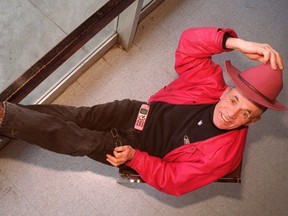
200,80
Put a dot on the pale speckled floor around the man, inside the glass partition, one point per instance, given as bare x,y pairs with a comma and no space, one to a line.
37,182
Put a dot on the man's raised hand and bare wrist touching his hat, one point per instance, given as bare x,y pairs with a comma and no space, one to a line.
256,51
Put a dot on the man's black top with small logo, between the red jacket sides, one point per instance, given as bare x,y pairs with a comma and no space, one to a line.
170,126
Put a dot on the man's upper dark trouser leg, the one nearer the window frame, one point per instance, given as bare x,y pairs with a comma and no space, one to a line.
102,117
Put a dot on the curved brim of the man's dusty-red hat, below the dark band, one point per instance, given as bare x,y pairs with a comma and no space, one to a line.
233,73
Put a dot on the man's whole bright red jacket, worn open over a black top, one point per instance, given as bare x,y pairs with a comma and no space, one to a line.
200,81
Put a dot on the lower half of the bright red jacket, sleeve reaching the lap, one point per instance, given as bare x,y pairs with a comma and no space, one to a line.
184,170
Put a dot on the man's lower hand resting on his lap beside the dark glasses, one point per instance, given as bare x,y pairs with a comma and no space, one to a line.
122,154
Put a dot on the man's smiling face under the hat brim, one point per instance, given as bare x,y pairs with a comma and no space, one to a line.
234,110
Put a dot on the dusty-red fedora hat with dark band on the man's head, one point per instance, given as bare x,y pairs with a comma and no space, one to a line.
261,84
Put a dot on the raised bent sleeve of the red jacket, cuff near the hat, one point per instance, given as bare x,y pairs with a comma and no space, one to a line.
197,45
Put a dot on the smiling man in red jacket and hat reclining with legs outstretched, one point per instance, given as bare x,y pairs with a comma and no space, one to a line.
192,131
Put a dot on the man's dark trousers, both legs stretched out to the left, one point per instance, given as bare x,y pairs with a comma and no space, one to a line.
69,130
